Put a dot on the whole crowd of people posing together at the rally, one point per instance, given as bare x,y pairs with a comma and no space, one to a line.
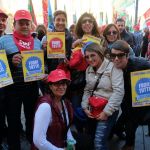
85,90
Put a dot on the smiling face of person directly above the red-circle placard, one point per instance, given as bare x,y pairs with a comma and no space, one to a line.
60,22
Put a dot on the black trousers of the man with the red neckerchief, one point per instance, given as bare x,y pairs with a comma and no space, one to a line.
16,95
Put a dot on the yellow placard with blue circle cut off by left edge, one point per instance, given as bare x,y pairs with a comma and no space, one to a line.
5,74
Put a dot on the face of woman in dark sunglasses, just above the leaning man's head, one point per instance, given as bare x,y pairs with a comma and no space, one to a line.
112,34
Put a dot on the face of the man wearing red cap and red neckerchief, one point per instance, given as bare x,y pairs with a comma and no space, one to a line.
23,27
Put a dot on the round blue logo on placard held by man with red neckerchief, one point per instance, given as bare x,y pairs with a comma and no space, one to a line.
33,65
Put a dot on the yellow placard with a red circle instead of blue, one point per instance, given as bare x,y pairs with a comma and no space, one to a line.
56,45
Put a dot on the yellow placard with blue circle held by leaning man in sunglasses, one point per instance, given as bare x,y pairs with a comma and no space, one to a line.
140,84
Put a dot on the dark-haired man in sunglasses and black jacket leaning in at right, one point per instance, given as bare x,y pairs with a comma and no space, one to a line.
131,117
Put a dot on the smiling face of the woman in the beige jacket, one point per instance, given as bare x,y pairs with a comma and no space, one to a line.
93,59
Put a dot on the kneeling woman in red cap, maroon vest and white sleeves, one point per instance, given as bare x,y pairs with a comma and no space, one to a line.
54,115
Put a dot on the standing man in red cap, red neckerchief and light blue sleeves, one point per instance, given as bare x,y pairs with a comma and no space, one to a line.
19,92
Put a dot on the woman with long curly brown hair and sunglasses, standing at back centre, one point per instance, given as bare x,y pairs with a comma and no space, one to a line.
86,25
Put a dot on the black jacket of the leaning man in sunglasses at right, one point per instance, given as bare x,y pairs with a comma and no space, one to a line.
134,64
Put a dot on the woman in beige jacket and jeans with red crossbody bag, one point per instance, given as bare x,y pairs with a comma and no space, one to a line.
110,86
